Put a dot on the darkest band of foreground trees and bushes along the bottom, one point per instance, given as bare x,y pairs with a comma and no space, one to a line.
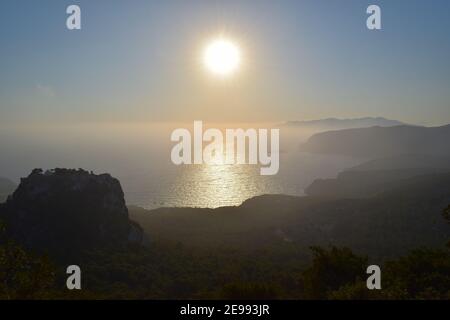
172,271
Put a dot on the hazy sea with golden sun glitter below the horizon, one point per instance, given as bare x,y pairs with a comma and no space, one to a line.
139,156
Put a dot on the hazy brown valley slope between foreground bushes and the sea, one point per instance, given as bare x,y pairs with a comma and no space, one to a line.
385,225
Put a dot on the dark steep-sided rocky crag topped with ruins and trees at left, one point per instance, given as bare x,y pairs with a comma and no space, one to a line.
62,209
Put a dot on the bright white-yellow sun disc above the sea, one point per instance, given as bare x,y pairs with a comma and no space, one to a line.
222,57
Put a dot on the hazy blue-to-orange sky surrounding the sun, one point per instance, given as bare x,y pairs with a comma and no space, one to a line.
139,60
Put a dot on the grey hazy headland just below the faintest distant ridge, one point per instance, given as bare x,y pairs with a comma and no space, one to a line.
378,142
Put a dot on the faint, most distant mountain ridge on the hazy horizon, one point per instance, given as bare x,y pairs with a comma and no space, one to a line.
337,124
